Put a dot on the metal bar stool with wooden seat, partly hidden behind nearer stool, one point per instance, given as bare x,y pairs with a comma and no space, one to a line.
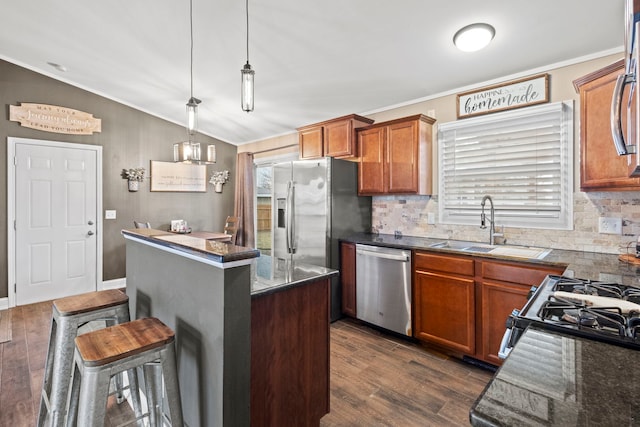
68,315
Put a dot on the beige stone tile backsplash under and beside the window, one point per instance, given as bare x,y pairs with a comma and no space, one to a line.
408,215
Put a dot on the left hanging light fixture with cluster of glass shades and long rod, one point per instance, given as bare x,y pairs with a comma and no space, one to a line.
189,151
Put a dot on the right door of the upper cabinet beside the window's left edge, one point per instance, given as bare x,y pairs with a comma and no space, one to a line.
402,157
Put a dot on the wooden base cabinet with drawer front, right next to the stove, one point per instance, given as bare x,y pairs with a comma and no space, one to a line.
503,287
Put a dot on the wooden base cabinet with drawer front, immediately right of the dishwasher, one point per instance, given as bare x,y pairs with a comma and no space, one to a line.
444,301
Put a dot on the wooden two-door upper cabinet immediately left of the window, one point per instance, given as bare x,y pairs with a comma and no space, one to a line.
395,156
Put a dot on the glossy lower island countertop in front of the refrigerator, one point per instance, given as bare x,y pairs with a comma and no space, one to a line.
275,275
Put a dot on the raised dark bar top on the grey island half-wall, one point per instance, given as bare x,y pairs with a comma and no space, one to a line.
209,249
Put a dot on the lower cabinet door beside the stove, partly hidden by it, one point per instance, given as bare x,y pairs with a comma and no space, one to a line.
498,301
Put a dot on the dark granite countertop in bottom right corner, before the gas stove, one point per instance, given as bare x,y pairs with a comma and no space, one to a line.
553,379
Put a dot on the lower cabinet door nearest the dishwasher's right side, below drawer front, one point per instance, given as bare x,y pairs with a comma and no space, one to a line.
445,310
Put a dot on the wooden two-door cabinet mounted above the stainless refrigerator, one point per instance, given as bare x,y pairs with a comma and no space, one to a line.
333,138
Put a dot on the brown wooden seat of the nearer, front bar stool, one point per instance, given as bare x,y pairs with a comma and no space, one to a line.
116,342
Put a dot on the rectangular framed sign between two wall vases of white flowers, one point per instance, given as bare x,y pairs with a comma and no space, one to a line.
169,176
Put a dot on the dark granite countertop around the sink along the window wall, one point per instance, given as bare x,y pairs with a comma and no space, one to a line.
585,265
